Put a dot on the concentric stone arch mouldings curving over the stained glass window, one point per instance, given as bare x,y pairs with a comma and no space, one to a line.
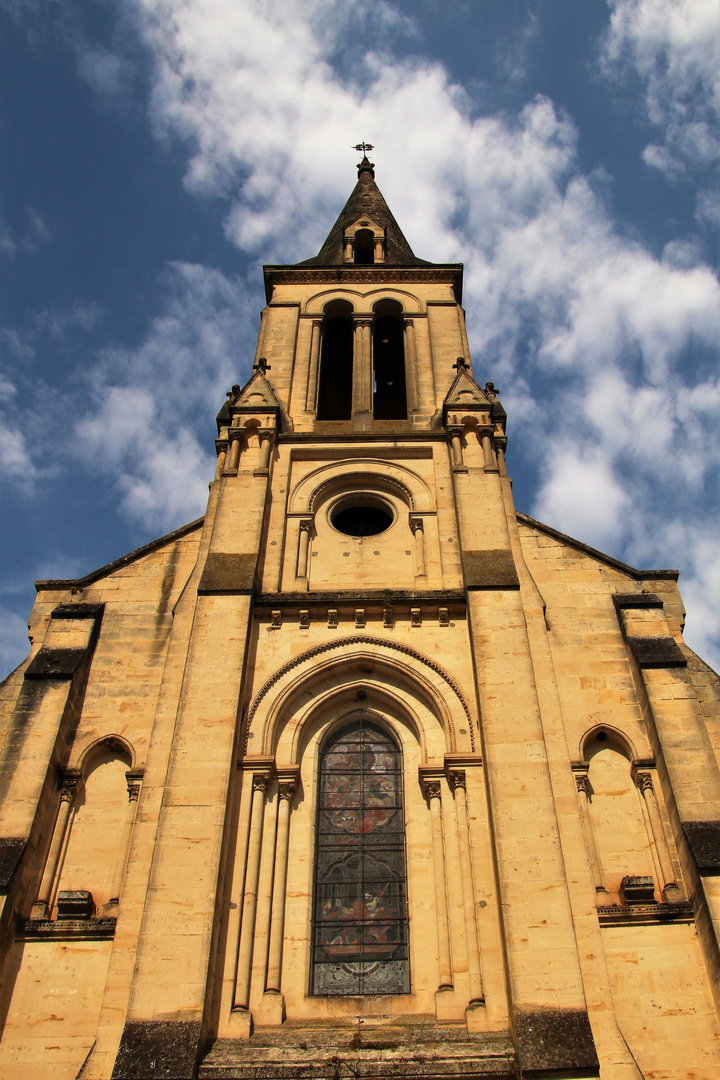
319,685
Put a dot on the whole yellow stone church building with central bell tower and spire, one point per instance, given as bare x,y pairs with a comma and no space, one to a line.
364,774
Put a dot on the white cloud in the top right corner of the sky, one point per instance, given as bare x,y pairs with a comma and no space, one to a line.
674,47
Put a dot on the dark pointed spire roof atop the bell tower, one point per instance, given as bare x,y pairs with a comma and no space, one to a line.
366,199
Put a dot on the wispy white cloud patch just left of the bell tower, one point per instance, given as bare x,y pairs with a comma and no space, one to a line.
150,423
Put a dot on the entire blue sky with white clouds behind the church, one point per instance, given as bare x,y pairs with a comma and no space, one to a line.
154,154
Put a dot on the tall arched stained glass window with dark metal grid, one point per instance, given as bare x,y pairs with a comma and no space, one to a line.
361,927
